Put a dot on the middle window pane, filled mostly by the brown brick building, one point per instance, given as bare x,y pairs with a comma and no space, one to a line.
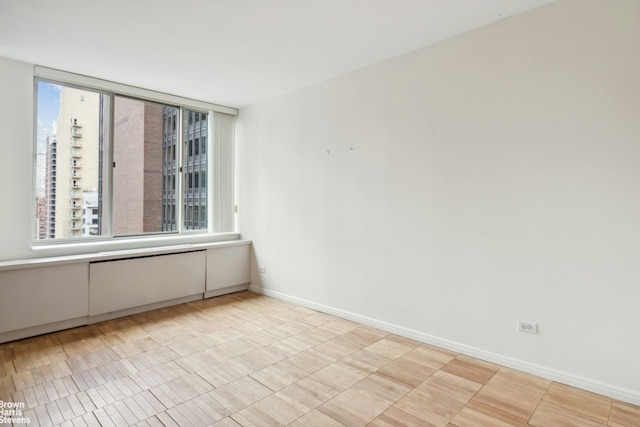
144,139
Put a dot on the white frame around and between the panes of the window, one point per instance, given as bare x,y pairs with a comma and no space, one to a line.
113,89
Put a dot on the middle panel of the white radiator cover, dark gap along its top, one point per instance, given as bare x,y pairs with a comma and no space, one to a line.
121,284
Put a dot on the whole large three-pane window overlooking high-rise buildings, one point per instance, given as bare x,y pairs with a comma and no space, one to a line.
112,164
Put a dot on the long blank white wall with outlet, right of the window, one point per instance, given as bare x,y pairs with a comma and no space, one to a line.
448,192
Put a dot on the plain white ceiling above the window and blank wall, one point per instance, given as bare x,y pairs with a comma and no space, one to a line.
232,52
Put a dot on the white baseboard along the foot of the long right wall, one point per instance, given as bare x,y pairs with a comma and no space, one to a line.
595,386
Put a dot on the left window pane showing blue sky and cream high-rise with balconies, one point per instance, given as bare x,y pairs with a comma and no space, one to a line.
71,151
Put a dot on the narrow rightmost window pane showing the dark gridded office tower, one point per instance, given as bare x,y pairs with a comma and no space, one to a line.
195,168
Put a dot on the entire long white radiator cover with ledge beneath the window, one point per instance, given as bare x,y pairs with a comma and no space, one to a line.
43,295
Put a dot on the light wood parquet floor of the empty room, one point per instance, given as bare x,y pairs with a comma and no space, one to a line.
246,359
